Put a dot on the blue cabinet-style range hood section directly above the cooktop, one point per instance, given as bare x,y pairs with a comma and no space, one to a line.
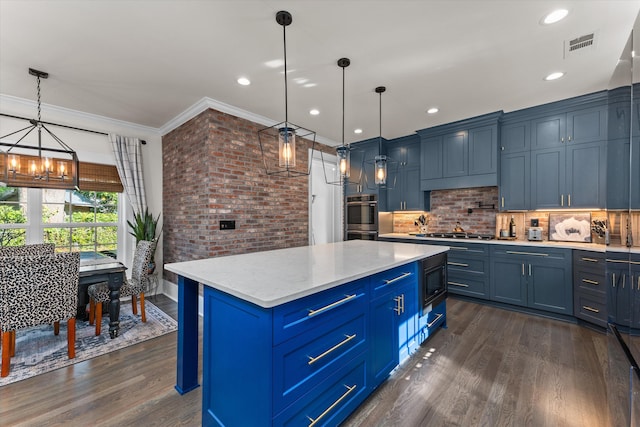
460,155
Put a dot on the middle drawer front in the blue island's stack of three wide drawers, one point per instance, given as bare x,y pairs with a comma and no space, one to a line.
306,360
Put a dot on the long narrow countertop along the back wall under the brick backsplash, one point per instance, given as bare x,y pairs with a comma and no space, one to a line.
545,243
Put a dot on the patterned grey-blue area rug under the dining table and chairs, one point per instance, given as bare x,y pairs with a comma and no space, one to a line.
39,351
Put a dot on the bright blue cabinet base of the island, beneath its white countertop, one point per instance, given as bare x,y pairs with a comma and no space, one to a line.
310,361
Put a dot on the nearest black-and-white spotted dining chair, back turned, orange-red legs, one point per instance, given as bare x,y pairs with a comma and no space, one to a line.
37,290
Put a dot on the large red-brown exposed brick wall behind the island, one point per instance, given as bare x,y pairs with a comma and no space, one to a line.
213,170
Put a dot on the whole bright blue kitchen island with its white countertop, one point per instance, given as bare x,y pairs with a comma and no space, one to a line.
300,336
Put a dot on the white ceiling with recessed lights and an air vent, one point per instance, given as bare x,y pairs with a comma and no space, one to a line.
147,62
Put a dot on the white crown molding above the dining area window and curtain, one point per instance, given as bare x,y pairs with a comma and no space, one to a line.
12,102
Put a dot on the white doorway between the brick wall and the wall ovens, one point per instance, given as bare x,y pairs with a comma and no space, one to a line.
325,200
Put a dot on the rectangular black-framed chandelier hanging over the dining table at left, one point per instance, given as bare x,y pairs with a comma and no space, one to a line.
51,167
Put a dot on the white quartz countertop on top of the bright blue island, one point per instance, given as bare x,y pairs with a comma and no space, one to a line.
275,277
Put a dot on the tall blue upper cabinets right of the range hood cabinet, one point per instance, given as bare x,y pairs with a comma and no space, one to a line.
567,144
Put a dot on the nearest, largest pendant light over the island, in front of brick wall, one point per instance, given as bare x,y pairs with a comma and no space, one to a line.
284,134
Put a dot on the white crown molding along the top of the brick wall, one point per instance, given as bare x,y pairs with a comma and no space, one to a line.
210,103
